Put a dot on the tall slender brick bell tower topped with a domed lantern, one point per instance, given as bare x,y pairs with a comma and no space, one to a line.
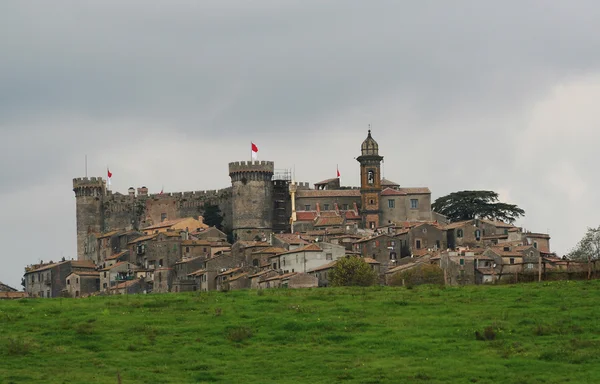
370,182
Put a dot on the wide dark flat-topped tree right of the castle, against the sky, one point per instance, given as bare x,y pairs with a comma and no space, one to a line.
467,205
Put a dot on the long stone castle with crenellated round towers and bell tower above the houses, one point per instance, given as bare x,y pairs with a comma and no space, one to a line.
259,201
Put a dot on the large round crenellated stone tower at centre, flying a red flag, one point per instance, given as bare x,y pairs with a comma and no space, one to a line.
252,199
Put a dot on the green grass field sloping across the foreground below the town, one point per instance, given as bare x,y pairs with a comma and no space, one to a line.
544,333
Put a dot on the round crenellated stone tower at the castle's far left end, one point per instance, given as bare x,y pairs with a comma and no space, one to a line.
89,198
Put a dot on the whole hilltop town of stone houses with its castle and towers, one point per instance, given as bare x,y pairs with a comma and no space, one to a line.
277,232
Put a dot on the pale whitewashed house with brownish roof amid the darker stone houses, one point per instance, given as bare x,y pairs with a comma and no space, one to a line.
308,257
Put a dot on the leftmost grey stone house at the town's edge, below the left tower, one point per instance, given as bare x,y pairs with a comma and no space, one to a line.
49,280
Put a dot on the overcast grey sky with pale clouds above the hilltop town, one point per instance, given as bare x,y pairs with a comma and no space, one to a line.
460,95
